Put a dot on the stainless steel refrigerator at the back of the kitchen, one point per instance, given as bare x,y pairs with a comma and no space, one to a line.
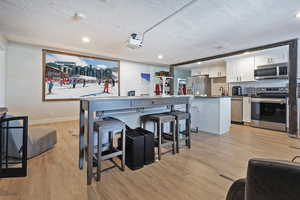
199,85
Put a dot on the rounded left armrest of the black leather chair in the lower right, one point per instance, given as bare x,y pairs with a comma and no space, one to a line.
237,190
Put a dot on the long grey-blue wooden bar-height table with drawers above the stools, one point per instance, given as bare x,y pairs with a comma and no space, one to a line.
92,106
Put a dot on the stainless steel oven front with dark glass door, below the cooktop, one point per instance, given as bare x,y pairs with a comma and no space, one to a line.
269,113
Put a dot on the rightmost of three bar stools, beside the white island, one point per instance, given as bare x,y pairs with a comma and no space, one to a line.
179,115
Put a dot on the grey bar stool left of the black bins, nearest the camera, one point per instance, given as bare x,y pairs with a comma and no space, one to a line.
104,131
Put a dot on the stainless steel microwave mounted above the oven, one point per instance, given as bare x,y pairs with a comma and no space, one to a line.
274,71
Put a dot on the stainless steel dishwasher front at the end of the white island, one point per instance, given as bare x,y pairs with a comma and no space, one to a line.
237,109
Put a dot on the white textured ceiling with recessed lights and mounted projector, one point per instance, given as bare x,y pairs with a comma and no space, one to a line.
196,32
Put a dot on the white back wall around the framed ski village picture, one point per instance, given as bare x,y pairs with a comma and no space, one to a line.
24,85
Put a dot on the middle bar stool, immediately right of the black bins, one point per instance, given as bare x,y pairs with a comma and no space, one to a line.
159,120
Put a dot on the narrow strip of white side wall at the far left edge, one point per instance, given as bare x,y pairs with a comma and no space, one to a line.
2,71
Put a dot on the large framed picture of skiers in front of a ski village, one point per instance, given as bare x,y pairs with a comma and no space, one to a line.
70,77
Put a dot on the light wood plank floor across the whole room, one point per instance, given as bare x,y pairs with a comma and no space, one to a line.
192,174
